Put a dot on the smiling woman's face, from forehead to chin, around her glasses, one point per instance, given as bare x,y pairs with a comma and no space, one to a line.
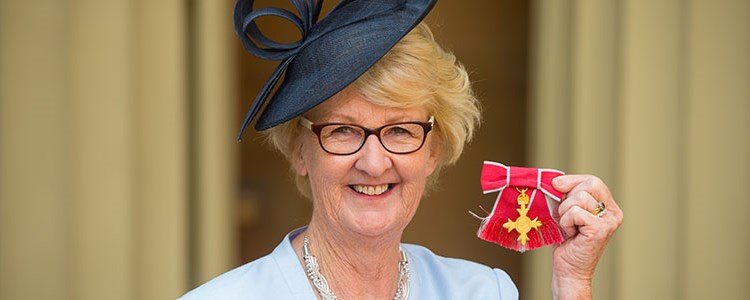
371,192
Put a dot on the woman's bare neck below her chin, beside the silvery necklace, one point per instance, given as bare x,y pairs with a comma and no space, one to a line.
356,266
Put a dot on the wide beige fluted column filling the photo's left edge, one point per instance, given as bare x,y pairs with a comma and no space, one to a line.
93,197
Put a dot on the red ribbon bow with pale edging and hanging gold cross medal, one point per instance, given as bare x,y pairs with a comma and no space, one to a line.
522,232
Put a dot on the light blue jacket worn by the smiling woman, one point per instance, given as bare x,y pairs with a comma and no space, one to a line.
280,275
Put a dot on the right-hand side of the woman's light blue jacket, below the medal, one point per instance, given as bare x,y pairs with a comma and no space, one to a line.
439,277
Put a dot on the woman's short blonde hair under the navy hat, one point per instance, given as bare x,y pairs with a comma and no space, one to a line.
416,72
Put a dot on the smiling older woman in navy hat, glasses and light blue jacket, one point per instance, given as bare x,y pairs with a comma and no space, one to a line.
366,115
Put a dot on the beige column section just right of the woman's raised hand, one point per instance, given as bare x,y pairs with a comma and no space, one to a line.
650,148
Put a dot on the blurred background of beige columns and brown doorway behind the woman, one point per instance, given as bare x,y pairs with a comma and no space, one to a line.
120,177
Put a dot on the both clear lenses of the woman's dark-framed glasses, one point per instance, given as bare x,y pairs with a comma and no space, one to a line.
397,138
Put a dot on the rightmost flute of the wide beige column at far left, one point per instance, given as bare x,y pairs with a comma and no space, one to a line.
161,148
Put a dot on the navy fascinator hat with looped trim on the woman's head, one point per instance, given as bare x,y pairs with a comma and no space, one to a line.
331,54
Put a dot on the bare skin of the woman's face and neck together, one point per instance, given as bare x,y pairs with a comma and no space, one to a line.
354,234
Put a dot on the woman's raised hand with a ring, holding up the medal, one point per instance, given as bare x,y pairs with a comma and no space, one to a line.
587,235
